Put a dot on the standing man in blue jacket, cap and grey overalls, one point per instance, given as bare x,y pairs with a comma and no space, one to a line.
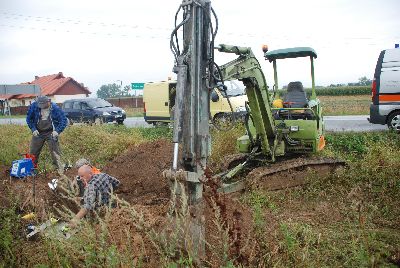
46,121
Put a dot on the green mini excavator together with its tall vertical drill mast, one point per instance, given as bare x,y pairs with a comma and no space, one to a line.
275,128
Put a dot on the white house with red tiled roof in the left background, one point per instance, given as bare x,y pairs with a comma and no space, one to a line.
56,86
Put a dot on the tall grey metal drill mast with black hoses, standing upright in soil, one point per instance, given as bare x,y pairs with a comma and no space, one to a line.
191,118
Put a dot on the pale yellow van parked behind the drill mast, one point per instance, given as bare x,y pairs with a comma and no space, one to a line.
159,98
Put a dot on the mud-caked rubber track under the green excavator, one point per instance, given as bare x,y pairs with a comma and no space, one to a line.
283,174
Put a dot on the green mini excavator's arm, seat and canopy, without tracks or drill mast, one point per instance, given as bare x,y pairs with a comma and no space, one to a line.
275,127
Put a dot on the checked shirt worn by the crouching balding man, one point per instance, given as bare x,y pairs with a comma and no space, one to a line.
98,190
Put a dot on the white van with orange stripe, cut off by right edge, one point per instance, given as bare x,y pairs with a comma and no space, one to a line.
385,105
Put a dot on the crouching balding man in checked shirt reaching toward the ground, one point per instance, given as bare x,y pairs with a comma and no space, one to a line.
98,189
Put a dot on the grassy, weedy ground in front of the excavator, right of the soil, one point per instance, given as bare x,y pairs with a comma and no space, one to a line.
349,218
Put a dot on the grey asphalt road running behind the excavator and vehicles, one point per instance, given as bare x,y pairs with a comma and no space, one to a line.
357,123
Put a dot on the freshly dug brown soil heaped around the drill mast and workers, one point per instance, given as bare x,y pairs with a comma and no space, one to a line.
140,171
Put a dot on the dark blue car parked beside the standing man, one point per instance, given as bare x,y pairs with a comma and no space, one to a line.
92,110
